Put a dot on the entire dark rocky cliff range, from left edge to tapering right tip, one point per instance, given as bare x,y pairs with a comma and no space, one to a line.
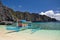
8,14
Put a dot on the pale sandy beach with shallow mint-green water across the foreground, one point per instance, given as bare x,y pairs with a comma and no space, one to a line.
28,35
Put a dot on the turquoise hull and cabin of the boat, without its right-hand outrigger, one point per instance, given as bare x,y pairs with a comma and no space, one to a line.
18,26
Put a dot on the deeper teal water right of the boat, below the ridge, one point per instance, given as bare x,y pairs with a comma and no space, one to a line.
46,25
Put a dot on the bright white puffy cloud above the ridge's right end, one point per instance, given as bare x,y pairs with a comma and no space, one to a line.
51,14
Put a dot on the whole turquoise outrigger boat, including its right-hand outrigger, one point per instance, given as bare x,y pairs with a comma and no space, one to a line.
22,25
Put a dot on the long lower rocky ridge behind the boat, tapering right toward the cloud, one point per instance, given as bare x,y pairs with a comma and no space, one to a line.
34,17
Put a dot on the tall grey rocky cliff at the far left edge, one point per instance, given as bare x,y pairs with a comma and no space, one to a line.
5,14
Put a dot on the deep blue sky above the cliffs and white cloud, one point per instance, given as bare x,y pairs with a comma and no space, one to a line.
32,5
